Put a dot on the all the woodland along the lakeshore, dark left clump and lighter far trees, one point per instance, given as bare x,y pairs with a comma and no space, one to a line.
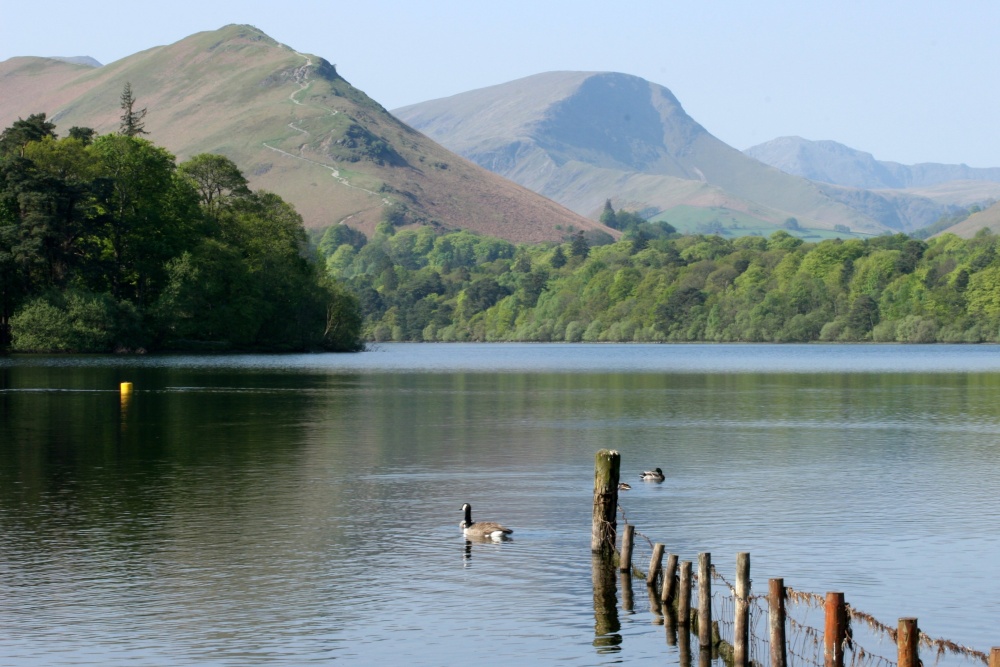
107,244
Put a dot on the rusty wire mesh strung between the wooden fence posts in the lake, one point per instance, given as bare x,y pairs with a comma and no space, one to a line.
869,642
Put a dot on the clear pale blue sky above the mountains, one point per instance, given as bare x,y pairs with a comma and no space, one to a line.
908,81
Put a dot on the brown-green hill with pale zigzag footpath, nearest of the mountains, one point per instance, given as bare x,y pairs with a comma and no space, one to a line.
293,125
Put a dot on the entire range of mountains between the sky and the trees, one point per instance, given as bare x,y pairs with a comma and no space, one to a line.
529,160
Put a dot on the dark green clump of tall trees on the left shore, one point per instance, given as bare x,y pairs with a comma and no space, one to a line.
106,244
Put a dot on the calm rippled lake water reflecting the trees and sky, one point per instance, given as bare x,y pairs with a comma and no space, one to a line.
290,509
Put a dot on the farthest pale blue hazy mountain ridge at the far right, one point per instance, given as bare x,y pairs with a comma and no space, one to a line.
831,162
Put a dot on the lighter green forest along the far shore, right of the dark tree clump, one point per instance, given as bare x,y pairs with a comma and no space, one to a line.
416,285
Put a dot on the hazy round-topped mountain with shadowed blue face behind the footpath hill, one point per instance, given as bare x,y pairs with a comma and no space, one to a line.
583,137
